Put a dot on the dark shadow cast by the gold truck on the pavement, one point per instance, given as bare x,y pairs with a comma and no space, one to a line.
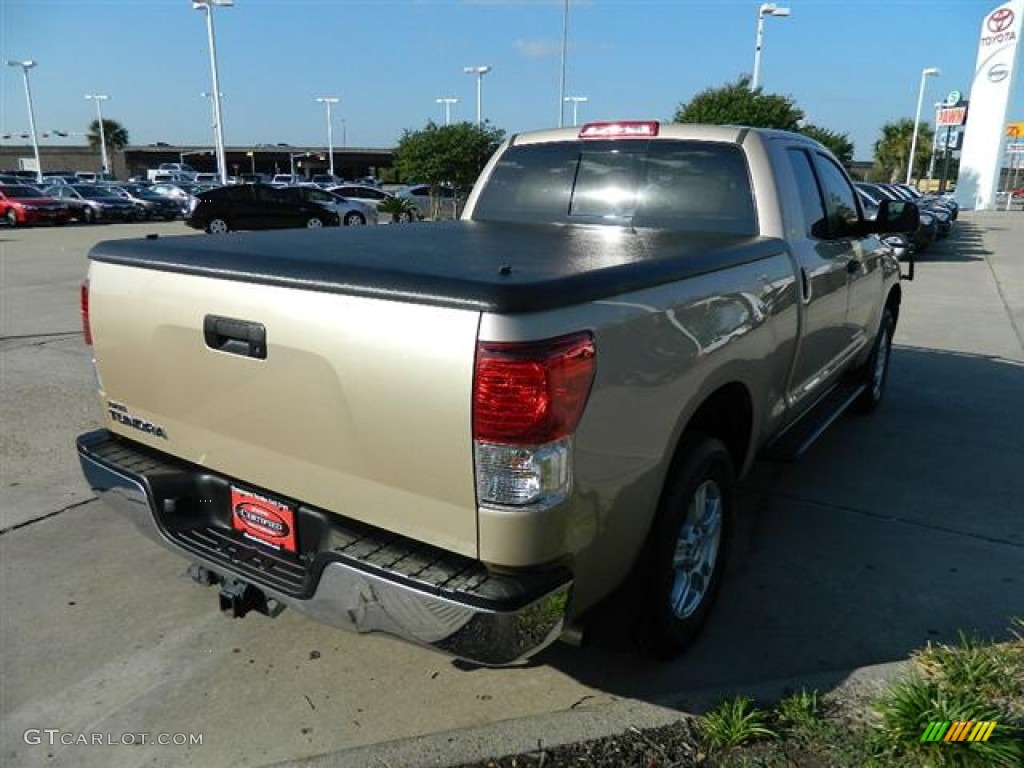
895,530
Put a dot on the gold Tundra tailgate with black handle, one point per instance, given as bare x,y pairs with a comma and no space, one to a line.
361,406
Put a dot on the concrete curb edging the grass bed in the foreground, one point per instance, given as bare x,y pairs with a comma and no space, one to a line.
582,724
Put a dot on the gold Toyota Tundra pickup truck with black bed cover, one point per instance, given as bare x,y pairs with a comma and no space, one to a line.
468,435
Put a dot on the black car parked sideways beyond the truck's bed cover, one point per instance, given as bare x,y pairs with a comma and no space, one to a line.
257,207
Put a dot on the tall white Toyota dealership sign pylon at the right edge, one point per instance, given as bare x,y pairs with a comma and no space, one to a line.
982,157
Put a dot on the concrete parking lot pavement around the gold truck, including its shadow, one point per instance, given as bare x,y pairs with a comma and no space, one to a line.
895,530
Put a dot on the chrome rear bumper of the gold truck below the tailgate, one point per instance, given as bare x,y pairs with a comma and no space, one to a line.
348,594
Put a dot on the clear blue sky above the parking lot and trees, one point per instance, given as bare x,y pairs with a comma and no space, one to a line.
850,66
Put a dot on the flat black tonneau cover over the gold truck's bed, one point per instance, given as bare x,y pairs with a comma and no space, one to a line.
487,267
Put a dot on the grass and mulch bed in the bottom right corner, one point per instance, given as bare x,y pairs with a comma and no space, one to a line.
971,680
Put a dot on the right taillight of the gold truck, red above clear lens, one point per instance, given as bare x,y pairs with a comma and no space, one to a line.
528,402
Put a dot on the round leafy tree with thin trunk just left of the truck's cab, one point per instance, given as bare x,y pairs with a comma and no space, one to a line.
446,155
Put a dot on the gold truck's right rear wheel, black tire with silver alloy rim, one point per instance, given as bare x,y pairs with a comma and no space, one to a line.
685,562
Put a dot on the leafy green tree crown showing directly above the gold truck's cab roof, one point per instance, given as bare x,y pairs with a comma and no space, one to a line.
737,104
